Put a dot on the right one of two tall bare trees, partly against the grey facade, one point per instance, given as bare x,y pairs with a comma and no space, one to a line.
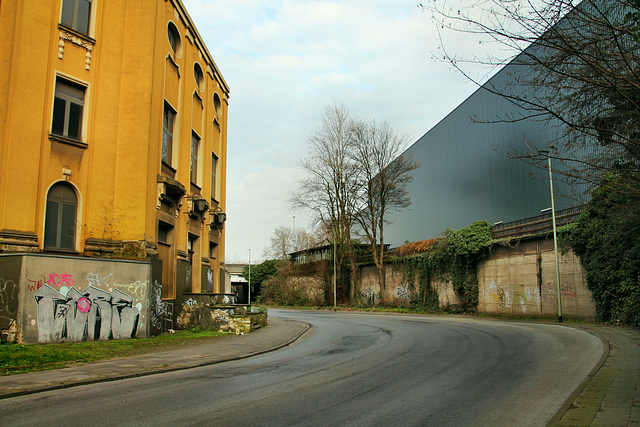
383,177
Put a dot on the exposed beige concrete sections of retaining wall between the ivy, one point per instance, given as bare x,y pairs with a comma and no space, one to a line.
518,280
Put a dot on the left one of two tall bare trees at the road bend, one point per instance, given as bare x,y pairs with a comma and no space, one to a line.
328,189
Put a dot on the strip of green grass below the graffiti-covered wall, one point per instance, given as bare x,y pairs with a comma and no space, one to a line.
19,358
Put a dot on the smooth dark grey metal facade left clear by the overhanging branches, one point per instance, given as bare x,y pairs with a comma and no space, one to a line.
465,172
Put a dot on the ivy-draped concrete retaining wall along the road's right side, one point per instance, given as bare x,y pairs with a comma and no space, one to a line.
516,279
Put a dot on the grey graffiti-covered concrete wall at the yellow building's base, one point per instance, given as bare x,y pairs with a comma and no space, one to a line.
64,298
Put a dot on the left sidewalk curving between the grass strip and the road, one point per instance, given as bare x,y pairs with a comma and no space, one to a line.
280,333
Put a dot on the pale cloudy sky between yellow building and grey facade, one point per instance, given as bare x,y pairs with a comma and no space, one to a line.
285,61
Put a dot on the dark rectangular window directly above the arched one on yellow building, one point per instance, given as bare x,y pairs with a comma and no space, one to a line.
68,106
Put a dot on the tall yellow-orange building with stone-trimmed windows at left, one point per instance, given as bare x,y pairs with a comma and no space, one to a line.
113,129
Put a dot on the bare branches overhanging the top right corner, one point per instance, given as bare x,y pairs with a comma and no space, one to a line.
574,64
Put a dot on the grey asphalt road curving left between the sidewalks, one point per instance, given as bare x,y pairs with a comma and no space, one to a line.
349,369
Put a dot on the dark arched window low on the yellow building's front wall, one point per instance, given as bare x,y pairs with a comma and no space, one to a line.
60,222
